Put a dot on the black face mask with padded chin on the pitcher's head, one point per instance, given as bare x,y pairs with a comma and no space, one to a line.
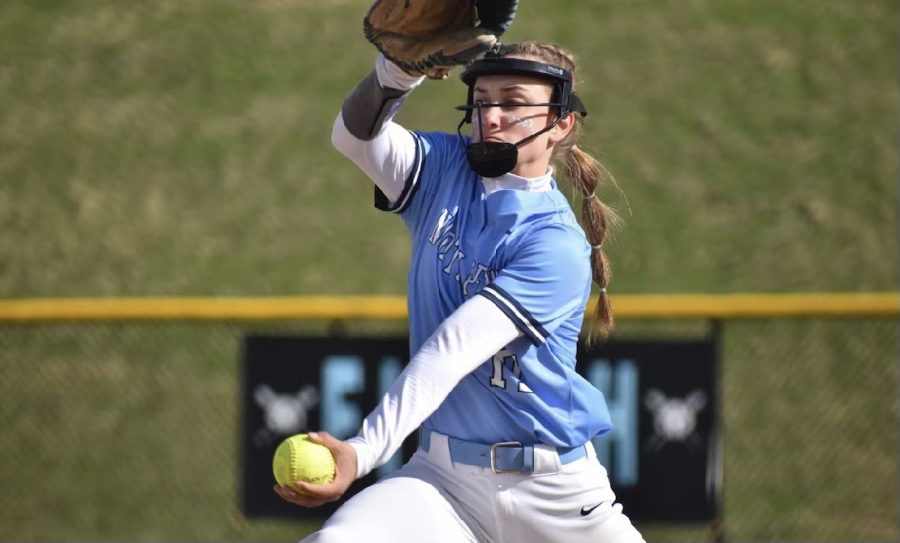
493,159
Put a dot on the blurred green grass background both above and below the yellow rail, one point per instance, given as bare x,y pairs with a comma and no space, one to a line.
181,148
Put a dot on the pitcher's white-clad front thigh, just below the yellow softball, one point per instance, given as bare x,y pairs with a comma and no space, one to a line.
395,510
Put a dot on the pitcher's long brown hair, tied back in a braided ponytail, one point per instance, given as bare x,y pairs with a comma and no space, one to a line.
585,173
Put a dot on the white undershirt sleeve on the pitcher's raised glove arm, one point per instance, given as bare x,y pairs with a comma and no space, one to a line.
390,156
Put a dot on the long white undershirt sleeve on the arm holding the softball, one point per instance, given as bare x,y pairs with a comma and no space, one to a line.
465,340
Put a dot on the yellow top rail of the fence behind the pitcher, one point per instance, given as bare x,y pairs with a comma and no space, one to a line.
708,306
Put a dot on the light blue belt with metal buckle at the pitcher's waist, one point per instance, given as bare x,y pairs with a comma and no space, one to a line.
502,457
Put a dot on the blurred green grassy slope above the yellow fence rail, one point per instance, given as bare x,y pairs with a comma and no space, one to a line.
755,143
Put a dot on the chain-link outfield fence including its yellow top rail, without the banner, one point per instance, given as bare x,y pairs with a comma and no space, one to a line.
121,419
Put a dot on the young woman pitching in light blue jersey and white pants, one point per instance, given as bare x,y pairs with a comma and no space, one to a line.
500,277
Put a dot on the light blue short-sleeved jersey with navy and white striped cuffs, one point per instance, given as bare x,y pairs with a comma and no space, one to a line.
526,253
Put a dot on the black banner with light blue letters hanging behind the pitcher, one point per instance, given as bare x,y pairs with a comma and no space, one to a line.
662,455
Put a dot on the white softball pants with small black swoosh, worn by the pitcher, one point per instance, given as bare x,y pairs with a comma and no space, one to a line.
433,499
